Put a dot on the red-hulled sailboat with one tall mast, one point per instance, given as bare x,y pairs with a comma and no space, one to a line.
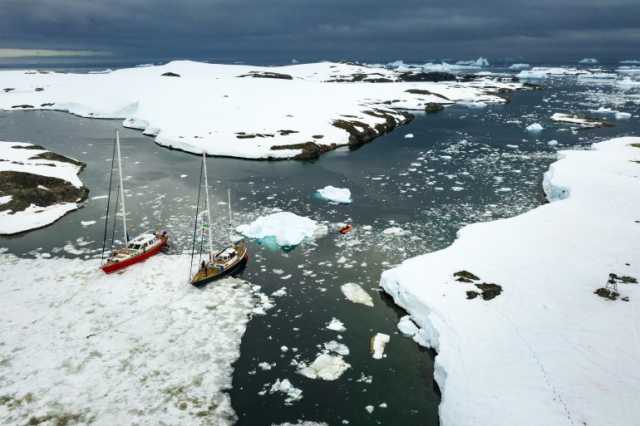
141,247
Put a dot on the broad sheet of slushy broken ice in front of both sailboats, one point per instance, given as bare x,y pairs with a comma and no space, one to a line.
138,347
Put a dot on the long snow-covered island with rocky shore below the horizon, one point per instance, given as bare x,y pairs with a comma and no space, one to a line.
295,111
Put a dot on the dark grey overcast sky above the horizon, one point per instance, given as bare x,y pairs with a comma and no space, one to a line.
373,30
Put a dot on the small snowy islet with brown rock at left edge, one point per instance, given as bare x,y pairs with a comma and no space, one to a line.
37,187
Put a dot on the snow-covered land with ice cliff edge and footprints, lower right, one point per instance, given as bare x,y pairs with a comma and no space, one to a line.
536,316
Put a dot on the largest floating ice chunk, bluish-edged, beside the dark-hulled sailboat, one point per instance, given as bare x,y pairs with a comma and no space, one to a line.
285,228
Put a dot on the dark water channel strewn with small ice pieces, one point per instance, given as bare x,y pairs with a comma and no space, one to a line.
462,166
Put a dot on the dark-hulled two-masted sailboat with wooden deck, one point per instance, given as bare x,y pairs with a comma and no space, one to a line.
220,263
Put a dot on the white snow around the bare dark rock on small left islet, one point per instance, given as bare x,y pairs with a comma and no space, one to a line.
22,158
